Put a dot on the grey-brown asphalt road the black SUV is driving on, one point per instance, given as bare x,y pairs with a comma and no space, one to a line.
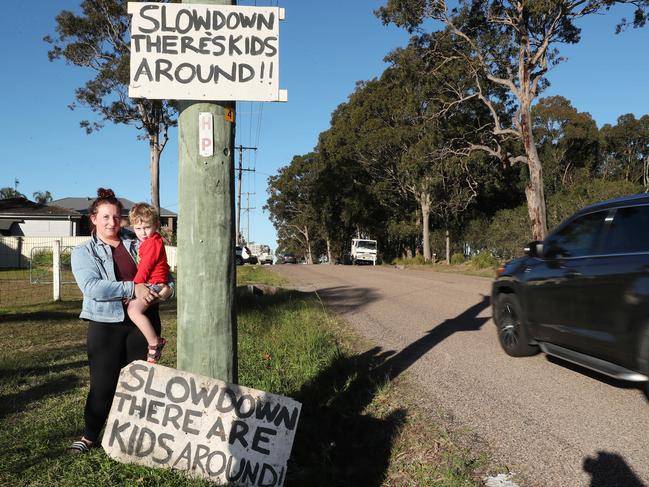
551,423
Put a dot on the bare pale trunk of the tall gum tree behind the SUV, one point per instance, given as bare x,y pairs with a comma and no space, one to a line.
534,189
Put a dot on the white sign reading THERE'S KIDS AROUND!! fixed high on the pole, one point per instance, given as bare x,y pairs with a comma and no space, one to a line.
204,52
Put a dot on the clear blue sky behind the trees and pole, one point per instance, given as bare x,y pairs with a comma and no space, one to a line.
325,48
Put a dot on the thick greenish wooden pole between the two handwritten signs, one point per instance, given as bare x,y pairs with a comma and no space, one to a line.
207,327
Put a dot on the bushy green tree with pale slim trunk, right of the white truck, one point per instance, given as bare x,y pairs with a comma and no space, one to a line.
400,139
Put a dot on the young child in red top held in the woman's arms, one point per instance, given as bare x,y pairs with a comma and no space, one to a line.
152,270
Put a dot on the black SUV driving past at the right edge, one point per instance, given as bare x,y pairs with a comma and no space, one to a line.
583,294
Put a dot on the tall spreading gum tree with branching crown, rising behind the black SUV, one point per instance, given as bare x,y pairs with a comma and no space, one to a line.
510,44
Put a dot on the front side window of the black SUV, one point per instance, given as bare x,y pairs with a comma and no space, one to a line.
576,239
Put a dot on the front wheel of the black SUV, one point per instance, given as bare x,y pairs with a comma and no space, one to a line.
512,332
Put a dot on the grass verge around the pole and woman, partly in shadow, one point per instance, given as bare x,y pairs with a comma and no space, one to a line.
356,427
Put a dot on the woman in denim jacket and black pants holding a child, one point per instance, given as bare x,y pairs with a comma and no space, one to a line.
104,268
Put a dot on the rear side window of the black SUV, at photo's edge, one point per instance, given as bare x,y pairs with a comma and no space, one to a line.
629,231
